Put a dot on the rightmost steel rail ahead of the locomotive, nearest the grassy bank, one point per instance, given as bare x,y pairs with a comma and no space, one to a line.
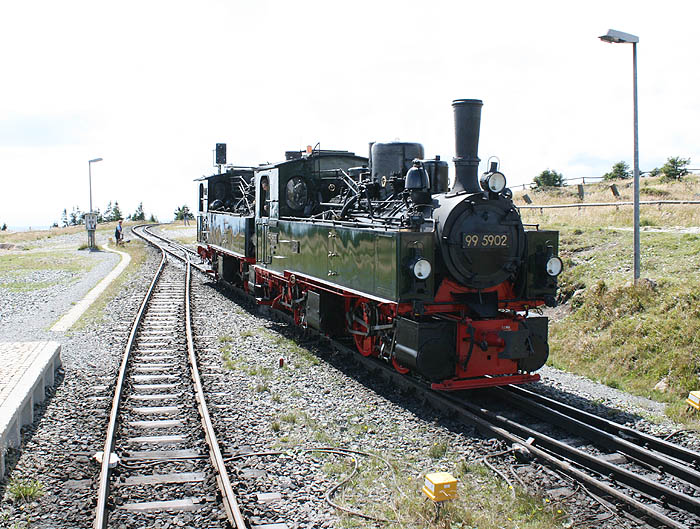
647,441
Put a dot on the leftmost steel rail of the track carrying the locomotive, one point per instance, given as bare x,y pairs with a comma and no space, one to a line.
445,402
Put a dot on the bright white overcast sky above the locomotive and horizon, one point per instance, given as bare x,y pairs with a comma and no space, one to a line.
151,86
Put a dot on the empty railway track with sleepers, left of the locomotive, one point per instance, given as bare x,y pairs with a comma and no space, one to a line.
170,460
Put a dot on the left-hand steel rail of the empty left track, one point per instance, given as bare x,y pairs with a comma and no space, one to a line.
103,487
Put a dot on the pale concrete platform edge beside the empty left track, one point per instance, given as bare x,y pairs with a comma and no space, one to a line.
26,370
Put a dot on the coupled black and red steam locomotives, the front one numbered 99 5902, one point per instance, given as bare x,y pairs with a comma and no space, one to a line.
442,282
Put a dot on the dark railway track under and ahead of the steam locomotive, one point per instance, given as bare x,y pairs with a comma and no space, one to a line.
652,481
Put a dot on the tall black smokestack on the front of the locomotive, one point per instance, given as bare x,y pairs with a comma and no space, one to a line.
467,121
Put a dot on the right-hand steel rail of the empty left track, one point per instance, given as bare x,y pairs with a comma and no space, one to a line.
233,511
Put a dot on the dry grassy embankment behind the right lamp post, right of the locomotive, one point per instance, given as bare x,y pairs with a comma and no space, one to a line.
644,339
